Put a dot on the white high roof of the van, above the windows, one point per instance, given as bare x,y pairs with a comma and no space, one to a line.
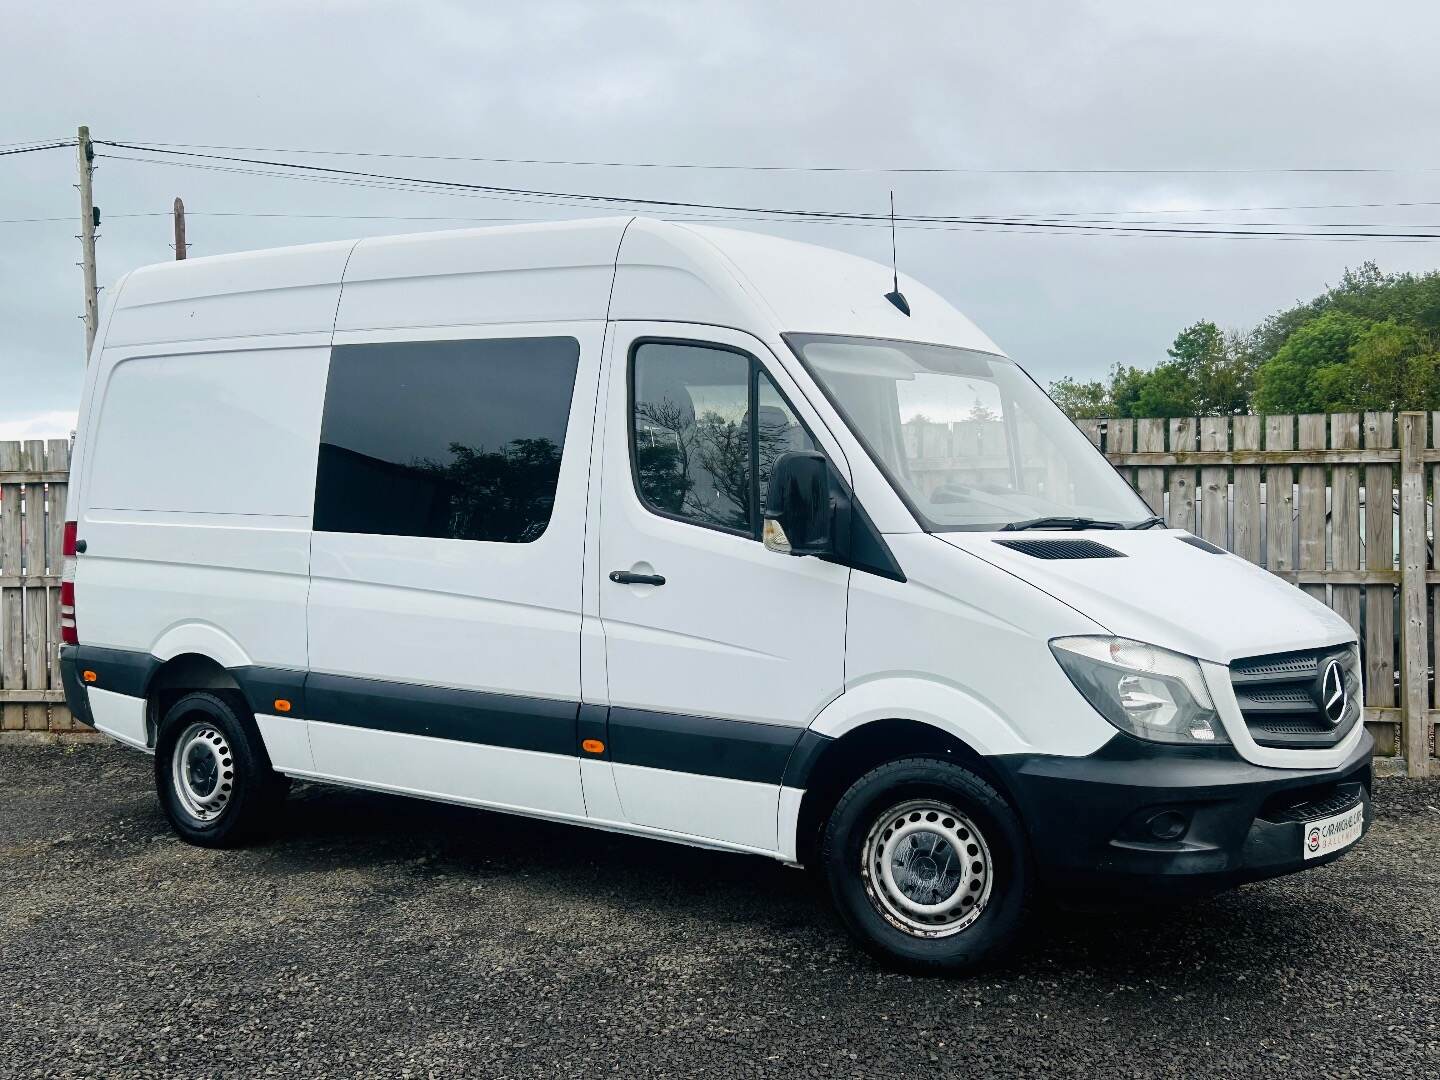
627,269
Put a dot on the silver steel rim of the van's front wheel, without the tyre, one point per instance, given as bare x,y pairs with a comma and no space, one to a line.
927,869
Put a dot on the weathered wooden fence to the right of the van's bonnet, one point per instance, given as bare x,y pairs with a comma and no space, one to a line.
1300,496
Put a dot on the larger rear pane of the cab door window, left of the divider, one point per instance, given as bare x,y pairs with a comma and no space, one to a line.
692,434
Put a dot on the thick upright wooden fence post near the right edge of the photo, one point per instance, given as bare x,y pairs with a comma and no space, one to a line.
1413,565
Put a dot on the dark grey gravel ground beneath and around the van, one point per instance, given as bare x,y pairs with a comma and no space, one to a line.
381,937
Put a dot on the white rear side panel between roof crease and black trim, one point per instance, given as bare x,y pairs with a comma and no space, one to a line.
197,506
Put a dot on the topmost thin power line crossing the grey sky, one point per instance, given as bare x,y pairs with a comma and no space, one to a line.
768,168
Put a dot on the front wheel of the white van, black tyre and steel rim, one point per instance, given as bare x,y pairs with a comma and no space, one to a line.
991,889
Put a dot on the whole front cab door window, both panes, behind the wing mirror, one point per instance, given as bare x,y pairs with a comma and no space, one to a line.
708,428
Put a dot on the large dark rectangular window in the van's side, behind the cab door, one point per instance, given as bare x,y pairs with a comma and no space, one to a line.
454,440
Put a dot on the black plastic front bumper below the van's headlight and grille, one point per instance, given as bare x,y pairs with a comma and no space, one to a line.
1151,820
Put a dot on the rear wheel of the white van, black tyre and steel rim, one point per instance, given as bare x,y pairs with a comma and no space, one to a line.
225,748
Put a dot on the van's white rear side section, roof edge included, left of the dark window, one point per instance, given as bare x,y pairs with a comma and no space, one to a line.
194,467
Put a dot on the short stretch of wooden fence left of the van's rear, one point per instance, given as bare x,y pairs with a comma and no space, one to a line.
32,523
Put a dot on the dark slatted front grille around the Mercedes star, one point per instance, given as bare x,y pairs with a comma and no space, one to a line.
1282,698
